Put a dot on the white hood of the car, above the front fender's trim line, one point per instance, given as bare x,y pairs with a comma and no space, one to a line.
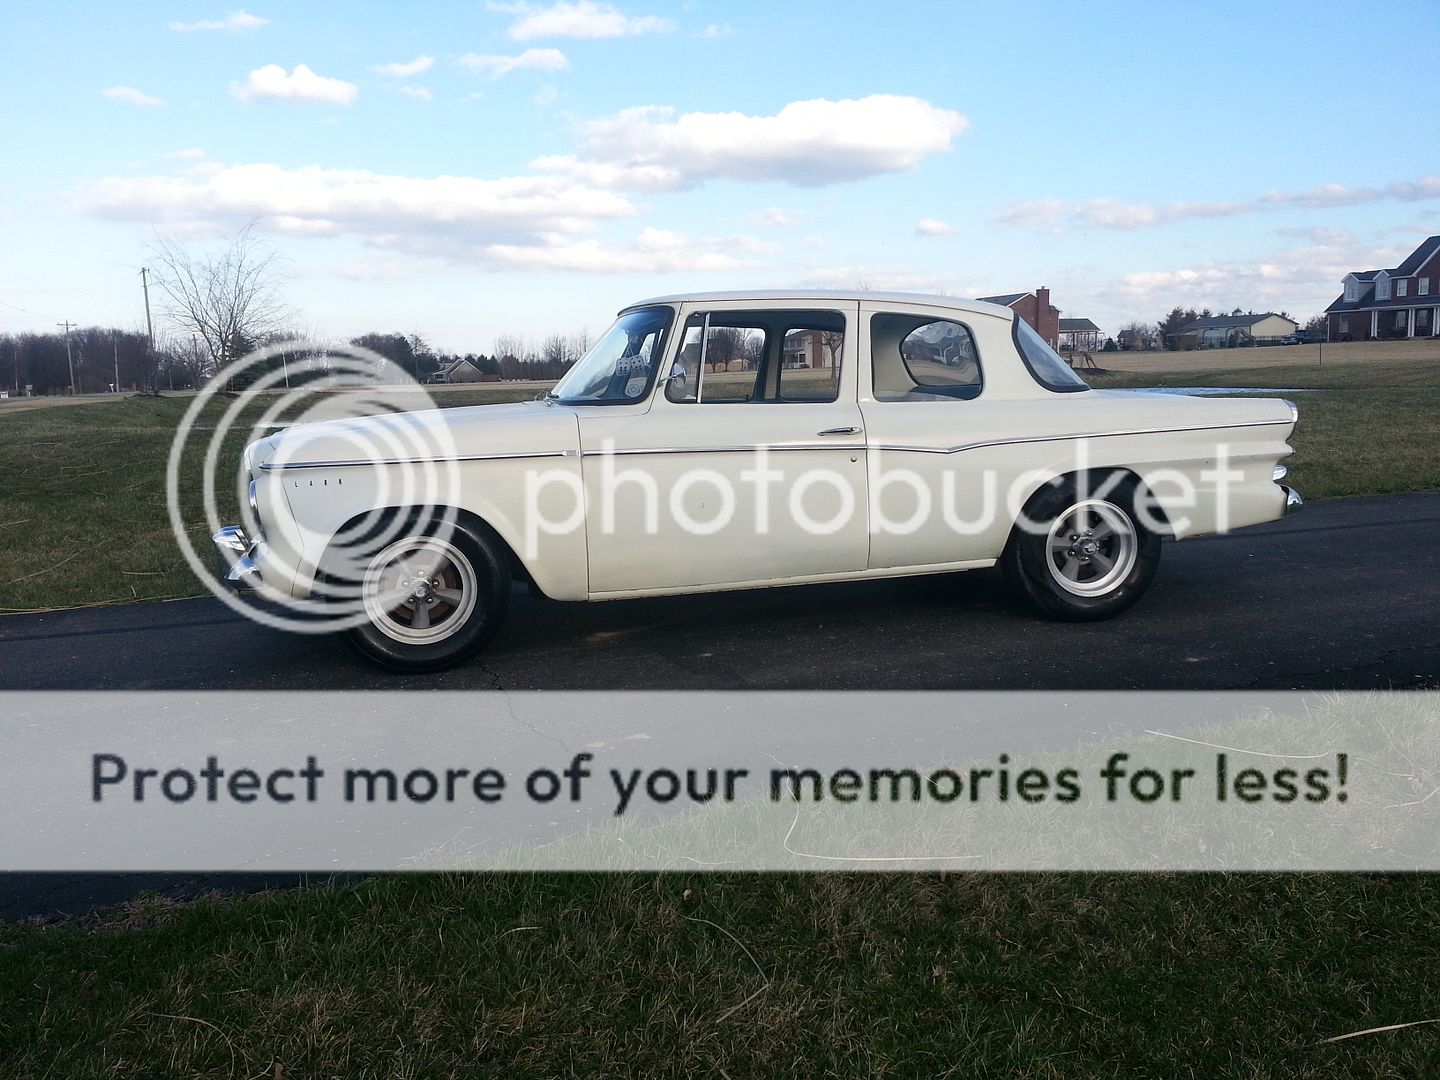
480,431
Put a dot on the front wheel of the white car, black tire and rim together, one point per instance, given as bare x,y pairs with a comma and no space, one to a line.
463,571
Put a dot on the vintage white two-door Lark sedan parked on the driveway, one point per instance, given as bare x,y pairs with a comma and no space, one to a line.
748,440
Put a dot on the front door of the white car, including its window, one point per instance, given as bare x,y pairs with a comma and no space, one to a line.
748,467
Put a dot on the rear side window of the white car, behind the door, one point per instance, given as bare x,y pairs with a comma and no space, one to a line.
918,358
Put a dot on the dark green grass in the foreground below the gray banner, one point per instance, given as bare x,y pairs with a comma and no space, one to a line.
739,976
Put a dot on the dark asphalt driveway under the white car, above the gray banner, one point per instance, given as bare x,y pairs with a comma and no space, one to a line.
1346,595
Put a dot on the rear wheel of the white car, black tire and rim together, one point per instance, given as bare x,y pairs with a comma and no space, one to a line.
1084,555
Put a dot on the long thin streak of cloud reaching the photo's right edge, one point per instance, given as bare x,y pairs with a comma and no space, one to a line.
1049,215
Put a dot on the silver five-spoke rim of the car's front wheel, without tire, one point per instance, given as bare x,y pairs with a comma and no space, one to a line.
420,591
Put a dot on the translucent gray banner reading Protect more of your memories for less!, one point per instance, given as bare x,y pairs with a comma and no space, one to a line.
745,781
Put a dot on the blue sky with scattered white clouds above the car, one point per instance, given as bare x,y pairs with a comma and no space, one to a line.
473,169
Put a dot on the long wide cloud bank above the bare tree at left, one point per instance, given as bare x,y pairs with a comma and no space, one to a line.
408,214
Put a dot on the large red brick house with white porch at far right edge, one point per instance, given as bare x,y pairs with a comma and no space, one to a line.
1390,303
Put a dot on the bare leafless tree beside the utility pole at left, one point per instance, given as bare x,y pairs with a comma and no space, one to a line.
227,300
